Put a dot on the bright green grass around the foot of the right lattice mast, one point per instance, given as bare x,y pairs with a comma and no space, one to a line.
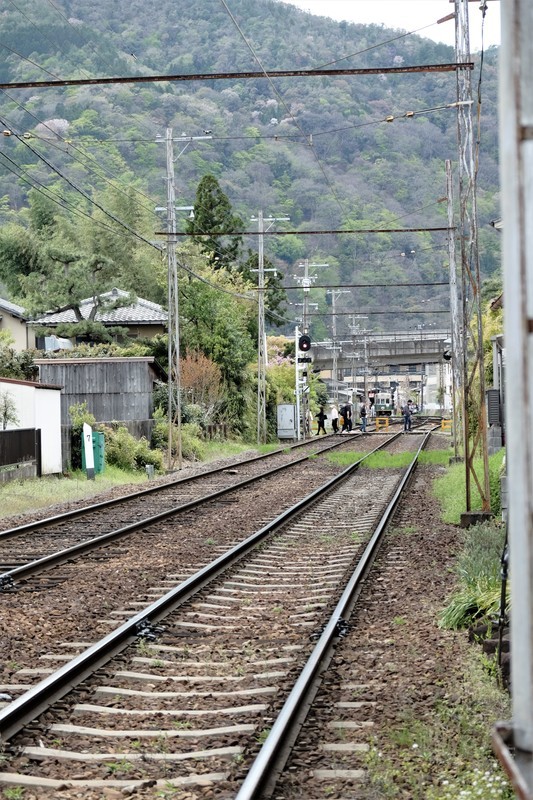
450,489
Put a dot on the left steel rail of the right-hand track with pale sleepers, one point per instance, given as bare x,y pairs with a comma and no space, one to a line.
32,703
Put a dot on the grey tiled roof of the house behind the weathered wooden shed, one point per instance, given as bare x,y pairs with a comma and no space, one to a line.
142,312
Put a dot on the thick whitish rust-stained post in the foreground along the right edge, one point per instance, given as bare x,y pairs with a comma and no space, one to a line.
516,173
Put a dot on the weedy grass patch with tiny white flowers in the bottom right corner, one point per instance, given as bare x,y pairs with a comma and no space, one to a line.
446,753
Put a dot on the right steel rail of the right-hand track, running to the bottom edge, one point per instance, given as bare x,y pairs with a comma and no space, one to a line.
263,774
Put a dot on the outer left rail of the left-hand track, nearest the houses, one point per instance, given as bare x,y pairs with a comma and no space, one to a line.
77,512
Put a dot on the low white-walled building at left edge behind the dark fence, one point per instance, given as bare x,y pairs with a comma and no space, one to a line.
37,407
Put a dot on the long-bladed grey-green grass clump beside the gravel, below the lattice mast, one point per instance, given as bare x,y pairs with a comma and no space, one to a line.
478,577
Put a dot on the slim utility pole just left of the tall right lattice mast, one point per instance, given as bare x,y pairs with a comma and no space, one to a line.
457,340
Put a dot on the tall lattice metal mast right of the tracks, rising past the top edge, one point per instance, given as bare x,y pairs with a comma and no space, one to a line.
473,362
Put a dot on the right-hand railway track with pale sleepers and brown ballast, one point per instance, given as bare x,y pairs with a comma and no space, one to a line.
208,666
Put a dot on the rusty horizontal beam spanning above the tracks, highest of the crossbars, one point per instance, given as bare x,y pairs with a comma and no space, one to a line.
238,76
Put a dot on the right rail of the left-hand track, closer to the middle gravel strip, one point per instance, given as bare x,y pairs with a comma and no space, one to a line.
9,578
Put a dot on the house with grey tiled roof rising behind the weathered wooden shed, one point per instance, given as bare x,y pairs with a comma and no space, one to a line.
142,318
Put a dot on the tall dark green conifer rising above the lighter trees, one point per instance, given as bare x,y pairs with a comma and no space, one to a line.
213,215
